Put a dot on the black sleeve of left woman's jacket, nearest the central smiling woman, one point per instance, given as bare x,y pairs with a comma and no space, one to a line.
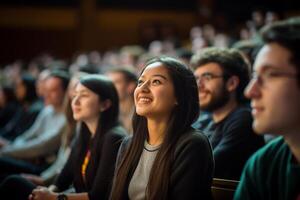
104,175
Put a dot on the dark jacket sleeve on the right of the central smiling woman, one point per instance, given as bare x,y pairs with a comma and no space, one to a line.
192,170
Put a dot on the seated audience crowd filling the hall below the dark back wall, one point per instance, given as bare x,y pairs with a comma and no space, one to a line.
156,124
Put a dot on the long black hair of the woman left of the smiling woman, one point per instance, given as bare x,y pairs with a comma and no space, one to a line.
106,90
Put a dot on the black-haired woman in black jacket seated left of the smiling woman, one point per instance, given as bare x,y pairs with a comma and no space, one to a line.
91,164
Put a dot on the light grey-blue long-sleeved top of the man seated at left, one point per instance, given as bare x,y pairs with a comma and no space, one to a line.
41,139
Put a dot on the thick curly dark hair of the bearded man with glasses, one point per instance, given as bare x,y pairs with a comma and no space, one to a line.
231,62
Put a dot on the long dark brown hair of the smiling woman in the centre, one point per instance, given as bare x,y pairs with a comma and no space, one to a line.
182,116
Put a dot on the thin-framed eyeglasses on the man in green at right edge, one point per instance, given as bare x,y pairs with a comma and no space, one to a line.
267,76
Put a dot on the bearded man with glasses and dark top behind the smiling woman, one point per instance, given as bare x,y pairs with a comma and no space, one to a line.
222,75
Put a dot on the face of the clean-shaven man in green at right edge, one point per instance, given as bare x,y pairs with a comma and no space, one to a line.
274,92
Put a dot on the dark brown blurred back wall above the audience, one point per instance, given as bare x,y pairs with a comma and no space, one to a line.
66,28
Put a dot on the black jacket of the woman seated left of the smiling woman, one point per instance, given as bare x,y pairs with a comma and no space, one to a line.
100,170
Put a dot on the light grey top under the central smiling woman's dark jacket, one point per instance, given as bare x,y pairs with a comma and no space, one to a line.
139,181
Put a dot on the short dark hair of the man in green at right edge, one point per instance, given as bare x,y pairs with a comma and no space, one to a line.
287,34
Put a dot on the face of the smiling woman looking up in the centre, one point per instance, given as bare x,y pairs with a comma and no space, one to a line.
154,95
